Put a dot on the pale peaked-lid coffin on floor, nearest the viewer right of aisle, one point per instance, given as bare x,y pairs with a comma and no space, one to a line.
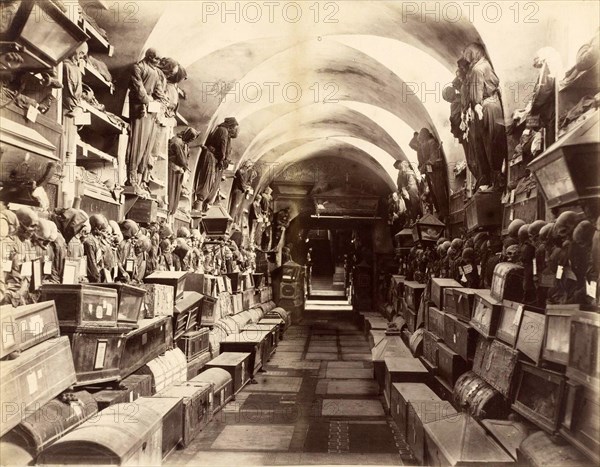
461,441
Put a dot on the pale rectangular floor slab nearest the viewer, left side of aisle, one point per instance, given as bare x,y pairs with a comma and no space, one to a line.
254,438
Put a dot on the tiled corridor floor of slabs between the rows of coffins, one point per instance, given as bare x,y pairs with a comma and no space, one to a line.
316,403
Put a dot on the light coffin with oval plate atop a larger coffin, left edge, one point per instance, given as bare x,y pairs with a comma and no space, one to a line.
27,325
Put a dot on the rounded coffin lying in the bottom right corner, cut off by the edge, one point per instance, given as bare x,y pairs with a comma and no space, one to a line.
541,450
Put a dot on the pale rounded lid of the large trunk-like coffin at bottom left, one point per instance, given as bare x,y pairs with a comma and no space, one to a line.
111,435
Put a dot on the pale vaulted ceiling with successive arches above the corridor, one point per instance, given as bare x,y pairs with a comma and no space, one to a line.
350,79
